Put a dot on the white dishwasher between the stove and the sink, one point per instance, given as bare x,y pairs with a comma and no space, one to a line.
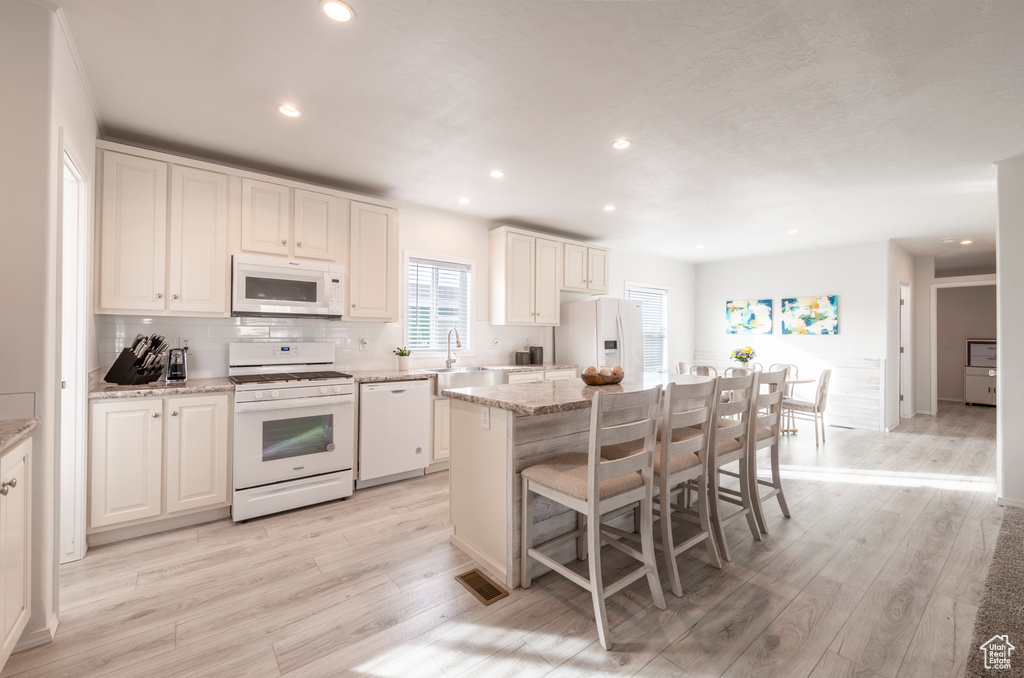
395,432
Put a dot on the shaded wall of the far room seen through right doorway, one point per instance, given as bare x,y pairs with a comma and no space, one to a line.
962,314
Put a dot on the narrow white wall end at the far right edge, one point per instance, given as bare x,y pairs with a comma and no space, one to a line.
1010,329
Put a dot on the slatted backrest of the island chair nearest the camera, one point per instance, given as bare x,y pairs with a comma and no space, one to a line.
617,419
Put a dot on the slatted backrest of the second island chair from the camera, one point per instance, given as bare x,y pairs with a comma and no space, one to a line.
688,407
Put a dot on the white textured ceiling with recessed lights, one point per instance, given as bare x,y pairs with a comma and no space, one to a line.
850,121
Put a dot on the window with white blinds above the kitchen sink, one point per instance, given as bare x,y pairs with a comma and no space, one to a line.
439,301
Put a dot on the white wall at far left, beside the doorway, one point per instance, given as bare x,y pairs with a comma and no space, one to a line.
36,71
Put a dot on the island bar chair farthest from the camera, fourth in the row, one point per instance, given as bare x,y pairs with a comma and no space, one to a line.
766,422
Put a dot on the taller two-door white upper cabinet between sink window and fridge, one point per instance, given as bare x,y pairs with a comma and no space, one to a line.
526,276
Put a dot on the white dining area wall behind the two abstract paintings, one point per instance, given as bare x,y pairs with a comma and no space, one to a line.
860,275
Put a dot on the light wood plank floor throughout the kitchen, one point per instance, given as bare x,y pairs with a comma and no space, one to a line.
879,572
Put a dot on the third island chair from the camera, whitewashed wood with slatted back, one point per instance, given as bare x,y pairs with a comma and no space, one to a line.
730,445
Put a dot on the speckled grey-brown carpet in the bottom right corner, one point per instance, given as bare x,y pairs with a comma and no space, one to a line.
1002,611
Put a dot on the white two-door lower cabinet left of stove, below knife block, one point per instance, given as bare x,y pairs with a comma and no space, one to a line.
142,470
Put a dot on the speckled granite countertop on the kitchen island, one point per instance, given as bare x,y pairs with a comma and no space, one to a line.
542,398
